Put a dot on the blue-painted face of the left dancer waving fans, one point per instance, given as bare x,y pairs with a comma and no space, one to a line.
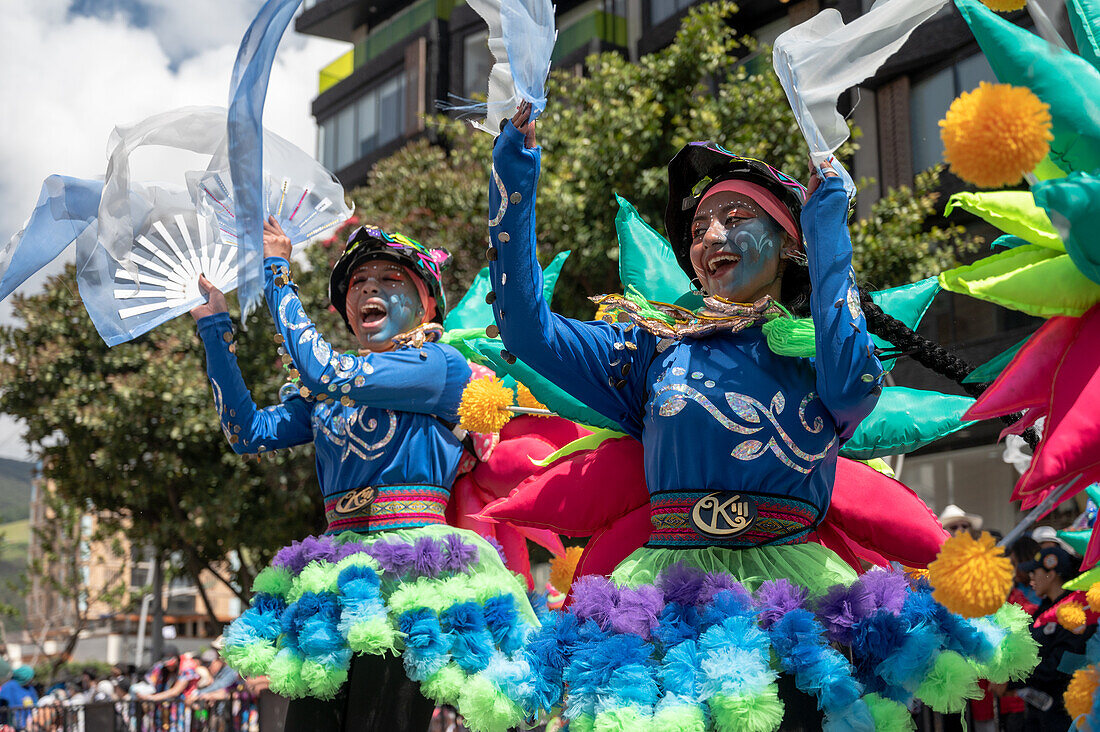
382,303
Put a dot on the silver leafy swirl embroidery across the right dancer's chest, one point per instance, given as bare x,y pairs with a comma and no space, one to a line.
751,411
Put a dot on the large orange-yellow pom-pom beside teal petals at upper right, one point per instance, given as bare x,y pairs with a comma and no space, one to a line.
996,134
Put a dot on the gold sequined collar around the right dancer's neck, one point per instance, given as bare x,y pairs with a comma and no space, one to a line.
717,316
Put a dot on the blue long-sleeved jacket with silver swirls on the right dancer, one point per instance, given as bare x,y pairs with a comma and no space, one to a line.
721,413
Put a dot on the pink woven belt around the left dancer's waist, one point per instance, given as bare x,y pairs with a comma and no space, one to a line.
381,508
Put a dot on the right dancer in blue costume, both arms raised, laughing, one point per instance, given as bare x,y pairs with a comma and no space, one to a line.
741,447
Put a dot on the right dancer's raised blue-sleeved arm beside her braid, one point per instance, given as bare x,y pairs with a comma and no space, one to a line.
850,375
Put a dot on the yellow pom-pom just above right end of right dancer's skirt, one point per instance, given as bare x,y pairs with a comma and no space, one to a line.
971,577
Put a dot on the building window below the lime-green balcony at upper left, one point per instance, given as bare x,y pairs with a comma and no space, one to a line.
372,122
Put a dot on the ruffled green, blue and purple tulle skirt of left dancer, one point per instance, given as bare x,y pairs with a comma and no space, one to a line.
439,597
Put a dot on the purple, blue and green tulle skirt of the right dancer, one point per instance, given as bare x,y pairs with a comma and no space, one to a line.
677,642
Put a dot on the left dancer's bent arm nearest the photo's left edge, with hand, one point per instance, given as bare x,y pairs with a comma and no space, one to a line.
247,428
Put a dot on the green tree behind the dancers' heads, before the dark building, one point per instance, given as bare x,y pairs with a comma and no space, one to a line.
614,130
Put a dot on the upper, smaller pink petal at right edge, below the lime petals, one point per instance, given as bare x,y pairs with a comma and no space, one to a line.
1025,384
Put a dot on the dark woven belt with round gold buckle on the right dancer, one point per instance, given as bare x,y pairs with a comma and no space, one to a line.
729,519
